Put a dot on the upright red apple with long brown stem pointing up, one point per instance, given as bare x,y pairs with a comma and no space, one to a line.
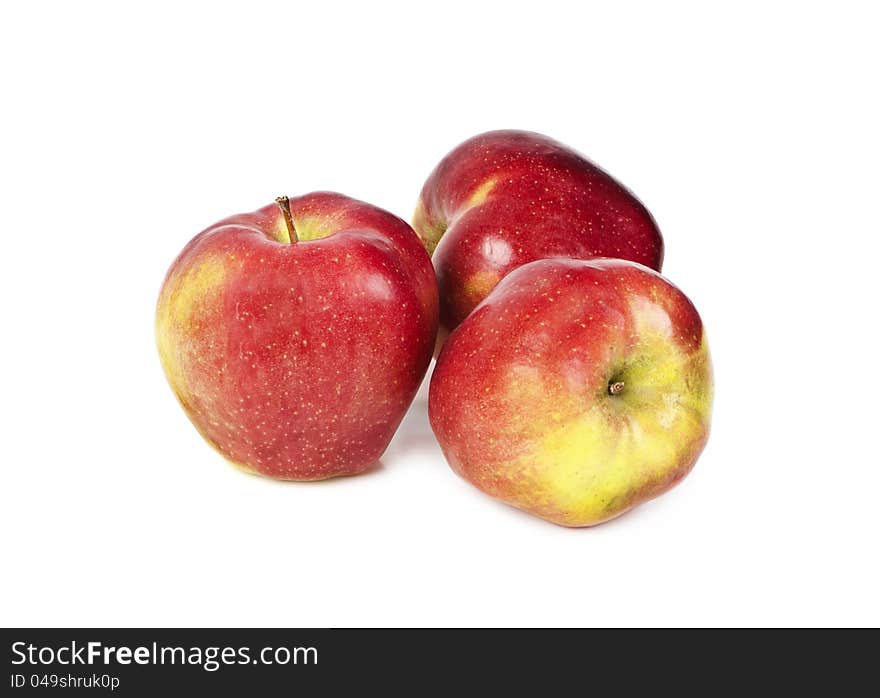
298,360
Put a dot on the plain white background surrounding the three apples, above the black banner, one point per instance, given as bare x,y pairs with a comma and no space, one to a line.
750,133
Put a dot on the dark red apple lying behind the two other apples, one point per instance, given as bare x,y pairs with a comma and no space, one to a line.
505,198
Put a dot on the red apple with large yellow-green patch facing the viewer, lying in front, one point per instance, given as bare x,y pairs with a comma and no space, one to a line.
576,390
